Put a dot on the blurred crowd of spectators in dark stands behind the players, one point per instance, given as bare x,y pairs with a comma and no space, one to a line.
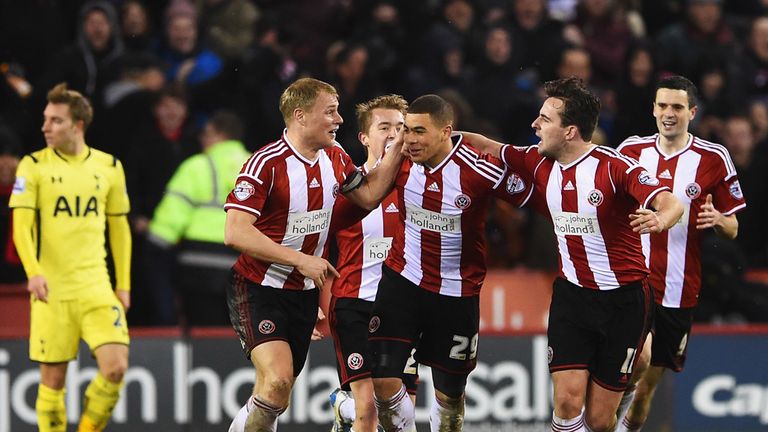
157,73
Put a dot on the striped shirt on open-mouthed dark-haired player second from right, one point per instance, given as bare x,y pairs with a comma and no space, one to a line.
589,201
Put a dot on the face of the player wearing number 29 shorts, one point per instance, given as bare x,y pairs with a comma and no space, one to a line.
427,142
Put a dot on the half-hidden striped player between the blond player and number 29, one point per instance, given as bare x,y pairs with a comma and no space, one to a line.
363,245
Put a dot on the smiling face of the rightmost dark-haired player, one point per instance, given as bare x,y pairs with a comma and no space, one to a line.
673,113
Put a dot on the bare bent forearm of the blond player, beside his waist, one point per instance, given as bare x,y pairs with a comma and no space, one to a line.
241,234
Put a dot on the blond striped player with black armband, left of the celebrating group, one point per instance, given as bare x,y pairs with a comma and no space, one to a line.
278,216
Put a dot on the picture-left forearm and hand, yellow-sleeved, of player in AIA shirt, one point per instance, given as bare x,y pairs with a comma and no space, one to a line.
23,224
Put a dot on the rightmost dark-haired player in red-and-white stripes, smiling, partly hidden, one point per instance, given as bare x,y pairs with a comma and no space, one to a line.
703,177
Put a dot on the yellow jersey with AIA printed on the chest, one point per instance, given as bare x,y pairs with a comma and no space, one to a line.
72,196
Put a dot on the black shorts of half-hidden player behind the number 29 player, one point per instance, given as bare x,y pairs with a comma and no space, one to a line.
349,318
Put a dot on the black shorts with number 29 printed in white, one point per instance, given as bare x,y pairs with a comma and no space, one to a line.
444,329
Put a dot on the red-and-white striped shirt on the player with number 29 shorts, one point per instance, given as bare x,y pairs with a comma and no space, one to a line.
439,244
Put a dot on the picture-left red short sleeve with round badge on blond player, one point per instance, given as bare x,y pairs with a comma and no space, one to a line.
251,189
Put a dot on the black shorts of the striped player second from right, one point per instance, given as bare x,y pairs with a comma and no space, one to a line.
601,331
